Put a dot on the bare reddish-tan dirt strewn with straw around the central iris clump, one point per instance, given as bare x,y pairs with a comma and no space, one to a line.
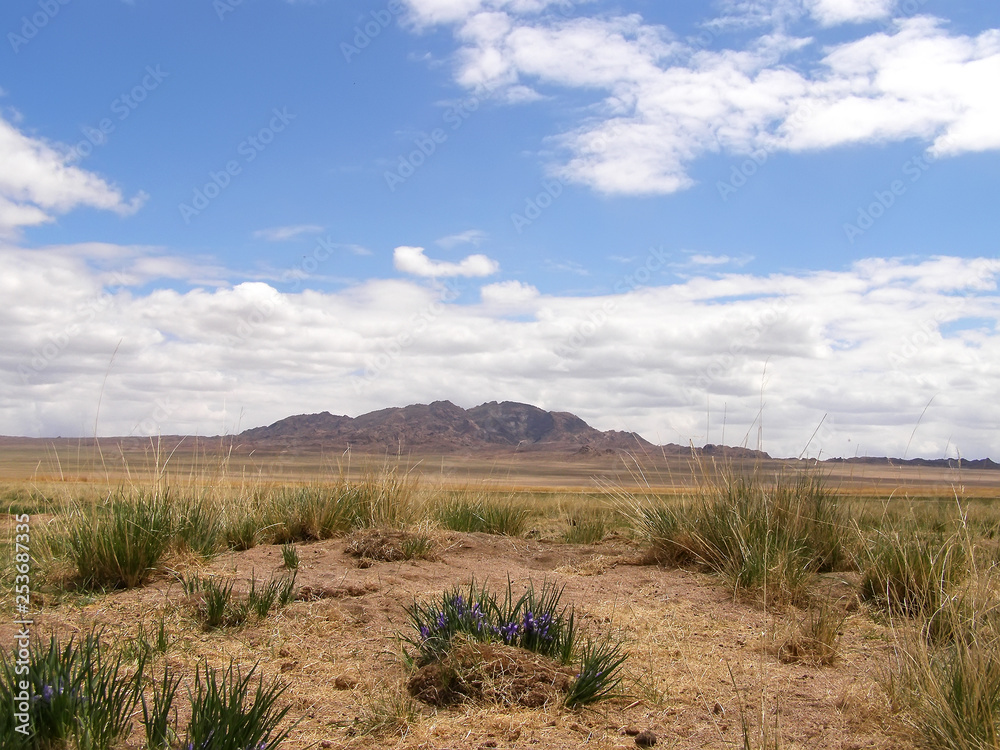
701,666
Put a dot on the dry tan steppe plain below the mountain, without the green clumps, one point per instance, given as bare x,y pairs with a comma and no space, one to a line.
711,663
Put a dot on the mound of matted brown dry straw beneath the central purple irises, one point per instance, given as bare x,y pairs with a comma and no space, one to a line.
491,673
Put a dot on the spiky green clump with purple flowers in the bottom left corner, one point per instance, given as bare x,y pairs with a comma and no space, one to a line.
77,696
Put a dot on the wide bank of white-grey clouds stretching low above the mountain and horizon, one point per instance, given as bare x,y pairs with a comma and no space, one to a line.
868,346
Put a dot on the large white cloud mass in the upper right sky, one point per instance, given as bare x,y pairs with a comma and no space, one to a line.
663,103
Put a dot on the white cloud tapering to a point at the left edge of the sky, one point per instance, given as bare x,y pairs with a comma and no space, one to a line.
38,180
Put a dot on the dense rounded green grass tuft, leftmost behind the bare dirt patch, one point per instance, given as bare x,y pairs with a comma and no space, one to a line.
118,544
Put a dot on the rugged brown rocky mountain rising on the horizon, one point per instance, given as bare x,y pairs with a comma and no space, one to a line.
444,427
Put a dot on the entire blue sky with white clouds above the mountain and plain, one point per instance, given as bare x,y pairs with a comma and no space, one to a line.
733,221
